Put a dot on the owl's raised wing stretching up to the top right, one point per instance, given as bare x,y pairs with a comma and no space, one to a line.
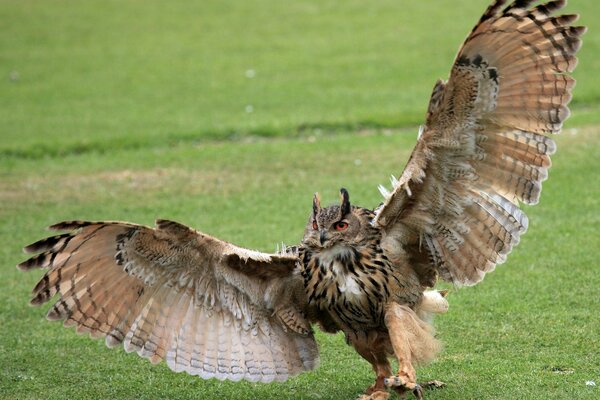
454,211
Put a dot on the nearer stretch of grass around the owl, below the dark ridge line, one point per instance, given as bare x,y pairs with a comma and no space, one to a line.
504,338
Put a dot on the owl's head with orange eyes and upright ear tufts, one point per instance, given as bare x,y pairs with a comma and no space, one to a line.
341,224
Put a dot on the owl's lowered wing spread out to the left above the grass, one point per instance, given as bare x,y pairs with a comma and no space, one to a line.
205,306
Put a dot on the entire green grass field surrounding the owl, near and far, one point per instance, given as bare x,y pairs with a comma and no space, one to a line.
130,110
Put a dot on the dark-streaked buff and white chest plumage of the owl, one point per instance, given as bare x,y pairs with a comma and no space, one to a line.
353,285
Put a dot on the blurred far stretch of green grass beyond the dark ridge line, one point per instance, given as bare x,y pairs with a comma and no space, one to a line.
101,74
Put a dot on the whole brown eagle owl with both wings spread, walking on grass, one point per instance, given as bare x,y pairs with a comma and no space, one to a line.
217,310
